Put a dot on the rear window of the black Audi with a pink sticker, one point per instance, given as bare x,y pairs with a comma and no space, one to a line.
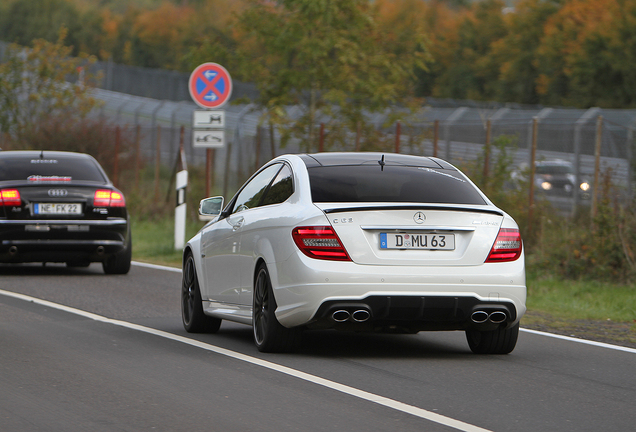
49,169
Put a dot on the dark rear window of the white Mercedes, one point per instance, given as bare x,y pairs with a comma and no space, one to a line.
394,183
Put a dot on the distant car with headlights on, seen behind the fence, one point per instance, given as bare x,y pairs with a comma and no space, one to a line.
557,178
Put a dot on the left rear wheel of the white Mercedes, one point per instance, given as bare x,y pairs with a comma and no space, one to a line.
269,334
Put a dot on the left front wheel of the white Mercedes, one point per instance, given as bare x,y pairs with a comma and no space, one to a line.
192,315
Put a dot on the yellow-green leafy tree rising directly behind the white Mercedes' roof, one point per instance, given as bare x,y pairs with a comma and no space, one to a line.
327,57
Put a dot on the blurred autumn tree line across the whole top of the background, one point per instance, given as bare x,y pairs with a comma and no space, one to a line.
578,53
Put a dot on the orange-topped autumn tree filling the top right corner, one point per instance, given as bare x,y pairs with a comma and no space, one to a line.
588,54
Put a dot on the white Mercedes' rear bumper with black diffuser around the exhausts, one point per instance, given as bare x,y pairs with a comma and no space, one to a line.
309,291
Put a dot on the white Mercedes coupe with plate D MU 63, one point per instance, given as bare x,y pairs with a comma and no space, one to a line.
361,242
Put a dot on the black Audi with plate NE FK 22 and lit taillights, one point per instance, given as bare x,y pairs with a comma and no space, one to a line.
61,207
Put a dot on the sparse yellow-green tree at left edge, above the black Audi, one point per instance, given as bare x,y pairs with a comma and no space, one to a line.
33,88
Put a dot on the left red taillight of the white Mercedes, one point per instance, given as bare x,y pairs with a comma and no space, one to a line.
320,242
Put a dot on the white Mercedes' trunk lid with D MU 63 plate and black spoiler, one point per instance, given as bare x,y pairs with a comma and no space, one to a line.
415,234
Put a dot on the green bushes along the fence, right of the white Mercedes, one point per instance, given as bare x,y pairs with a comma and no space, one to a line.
602,248
